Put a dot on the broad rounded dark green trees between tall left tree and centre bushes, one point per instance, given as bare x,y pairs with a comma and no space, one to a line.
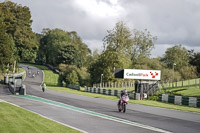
58,46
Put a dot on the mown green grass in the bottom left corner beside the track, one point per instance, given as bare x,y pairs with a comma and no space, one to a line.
18,120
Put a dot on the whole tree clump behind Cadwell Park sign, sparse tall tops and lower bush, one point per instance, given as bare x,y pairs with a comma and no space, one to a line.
121,50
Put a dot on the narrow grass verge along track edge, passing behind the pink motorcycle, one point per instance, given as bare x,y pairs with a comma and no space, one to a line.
143,102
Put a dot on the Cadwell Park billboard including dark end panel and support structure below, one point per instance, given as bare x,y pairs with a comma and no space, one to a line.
146,83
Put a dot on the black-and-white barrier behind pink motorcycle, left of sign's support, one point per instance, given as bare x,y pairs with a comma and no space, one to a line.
110,92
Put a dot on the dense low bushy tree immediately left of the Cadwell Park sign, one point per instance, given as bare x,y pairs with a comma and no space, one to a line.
105,64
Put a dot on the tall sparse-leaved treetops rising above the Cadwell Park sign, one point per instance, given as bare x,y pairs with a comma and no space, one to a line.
134,46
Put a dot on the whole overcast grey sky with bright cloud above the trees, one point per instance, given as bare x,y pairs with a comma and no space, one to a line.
172,21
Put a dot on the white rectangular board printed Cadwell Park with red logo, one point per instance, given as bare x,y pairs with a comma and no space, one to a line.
142,74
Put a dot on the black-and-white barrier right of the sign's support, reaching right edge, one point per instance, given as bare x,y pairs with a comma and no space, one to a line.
180,100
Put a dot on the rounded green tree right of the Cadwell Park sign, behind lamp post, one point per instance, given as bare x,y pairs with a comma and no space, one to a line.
176,55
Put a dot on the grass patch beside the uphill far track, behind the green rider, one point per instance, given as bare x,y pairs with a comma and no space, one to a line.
50,78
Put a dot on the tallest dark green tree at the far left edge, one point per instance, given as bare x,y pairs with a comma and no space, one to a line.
18,25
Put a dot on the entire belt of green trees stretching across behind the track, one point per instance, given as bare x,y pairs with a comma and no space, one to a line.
123,48
